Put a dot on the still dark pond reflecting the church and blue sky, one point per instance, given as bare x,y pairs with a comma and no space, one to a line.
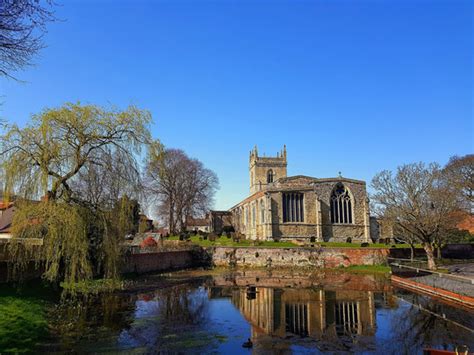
217,311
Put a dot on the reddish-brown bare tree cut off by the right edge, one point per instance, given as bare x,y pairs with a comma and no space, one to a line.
459,173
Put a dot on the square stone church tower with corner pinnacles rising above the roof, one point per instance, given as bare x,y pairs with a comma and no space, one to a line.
265,170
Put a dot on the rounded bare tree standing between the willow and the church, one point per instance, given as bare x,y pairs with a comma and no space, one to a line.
182,186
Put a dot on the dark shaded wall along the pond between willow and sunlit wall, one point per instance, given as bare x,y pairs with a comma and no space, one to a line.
159,261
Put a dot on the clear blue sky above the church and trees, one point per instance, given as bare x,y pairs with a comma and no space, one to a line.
350,86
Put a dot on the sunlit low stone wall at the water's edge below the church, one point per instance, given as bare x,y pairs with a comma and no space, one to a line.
297,257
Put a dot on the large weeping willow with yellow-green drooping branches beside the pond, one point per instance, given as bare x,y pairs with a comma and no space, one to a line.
46,160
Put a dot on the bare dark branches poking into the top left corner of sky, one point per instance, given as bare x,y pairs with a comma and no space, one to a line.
22,26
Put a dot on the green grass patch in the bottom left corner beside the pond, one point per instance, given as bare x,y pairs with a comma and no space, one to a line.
22,324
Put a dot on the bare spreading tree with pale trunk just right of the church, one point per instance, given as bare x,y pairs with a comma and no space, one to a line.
418,201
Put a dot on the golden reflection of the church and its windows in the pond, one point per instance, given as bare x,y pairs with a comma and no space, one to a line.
318,314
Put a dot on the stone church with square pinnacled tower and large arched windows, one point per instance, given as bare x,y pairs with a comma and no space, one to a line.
302,208
